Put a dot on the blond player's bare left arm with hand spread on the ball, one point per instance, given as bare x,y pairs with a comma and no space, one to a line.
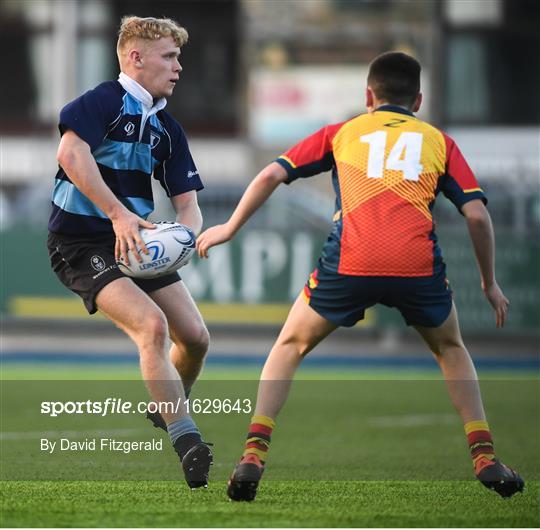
77,161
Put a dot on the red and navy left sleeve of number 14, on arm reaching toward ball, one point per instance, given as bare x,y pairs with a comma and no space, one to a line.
310,156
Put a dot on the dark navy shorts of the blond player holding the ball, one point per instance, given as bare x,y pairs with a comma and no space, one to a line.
86,264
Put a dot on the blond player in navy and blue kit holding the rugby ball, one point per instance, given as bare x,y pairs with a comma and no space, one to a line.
113,139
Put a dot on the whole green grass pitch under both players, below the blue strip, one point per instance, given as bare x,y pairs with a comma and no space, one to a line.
370,450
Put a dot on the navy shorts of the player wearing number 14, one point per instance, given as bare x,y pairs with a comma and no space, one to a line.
342,299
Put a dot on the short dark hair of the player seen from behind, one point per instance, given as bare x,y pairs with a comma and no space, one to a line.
394,77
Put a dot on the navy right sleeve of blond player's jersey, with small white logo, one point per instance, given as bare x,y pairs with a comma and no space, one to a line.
178,173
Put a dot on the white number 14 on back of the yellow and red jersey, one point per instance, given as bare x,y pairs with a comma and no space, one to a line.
404,156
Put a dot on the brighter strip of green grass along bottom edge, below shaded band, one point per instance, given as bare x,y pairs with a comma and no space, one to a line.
279,504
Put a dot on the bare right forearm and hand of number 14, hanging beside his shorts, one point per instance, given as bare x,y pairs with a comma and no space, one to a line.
481,233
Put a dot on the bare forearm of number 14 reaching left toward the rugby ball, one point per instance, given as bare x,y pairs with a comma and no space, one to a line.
261,187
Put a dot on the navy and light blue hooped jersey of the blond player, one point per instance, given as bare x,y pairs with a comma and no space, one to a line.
129,143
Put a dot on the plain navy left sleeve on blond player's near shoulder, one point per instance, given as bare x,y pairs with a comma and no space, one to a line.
90,115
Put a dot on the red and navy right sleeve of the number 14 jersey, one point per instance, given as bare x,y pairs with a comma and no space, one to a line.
458,183
